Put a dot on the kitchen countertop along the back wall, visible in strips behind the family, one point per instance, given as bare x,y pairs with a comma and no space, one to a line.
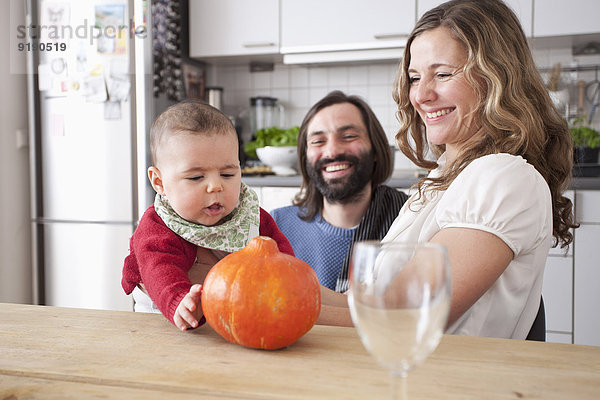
577,183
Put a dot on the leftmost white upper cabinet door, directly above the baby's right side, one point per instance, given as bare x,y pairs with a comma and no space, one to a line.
232,28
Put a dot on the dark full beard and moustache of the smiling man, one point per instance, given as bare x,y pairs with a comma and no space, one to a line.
346,189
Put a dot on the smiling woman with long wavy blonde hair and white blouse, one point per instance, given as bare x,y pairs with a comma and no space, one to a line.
469,91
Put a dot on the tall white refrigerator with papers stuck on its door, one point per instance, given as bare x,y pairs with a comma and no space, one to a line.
90,108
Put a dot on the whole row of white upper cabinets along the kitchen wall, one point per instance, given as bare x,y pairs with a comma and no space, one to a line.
307,31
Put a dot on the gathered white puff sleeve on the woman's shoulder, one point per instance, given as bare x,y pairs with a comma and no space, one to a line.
501,194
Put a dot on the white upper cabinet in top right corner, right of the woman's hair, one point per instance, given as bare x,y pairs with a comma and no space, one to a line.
559,17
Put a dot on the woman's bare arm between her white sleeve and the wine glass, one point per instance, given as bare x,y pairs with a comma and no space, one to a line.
477,259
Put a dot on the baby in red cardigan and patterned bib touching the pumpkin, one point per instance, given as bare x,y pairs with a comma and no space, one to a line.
202,212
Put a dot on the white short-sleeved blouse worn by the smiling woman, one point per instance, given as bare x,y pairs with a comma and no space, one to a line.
504,195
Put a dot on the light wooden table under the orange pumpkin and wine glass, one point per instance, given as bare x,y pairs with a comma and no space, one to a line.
61,353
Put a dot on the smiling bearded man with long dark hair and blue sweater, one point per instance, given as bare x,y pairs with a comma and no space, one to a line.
345,158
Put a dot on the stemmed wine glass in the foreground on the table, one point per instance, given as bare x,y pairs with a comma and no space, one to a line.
399,301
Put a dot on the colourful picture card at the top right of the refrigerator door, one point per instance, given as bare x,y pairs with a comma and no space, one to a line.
110,21
